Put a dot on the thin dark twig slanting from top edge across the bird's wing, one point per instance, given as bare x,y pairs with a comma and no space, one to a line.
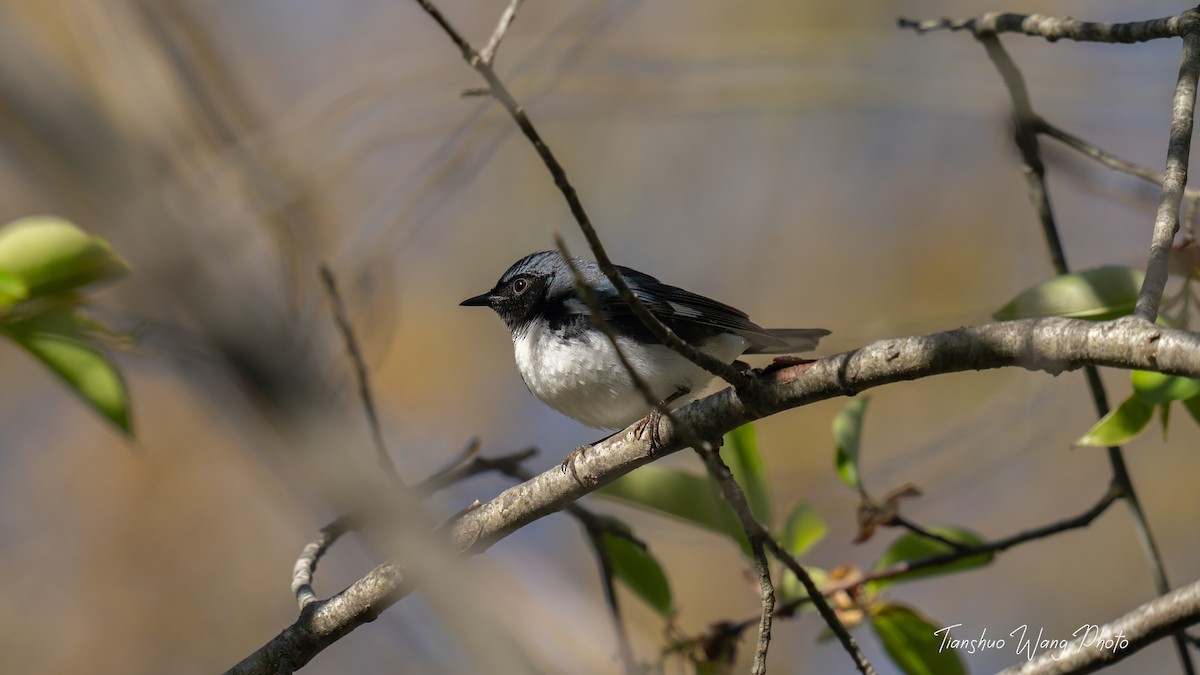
501,93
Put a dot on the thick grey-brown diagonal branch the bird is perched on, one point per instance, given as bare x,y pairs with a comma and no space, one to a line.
1052,345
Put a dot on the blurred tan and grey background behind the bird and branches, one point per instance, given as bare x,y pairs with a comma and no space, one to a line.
806,162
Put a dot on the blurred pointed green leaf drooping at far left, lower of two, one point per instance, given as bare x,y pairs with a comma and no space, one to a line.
61,341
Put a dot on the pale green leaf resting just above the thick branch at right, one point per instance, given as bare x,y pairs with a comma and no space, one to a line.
1097,295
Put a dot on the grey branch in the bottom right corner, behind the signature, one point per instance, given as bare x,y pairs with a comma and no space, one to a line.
1145,625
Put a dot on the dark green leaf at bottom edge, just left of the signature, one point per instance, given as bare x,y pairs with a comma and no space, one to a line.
913,643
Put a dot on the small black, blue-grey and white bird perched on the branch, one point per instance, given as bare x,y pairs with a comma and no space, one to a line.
569,363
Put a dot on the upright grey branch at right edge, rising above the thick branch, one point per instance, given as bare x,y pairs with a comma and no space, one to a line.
1175,180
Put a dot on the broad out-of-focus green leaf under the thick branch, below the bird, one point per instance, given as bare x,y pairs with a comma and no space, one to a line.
687,497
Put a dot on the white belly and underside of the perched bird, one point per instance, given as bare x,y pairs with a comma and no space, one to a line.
584,379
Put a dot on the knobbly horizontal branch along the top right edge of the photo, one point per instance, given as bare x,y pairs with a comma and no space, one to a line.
1055,28
